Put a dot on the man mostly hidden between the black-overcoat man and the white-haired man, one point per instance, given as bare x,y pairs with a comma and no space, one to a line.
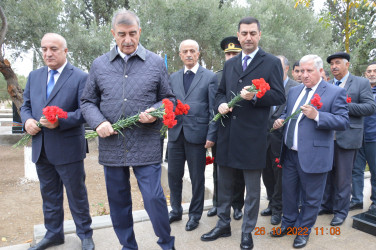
272,174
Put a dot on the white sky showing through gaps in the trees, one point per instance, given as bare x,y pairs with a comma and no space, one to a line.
23,65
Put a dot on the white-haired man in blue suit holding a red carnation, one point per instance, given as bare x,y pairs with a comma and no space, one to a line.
307,151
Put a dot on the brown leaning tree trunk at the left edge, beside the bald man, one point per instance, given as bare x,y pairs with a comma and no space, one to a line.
14,90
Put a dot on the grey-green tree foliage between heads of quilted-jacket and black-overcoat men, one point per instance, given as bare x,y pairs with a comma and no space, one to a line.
166,23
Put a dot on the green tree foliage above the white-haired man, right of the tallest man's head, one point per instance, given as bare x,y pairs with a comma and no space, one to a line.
292,32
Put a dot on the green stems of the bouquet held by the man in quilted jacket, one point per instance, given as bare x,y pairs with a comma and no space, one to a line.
131,121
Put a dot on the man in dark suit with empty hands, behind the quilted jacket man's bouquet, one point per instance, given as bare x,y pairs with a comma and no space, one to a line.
193,134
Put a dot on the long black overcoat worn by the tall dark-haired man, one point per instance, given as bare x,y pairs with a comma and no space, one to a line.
242,139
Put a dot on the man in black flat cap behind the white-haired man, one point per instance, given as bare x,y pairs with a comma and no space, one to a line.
346,143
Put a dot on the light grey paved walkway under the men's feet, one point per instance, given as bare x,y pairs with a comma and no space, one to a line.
105,238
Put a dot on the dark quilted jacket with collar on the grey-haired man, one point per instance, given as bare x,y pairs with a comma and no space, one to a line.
116,89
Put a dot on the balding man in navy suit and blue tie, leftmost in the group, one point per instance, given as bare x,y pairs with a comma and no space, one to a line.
58,149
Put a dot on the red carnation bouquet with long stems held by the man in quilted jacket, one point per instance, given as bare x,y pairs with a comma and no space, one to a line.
165,112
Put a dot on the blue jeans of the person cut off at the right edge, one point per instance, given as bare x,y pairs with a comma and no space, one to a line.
366,154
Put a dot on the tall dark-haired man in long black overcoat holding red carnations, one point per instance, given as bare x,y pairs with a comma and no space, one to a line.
241,140
